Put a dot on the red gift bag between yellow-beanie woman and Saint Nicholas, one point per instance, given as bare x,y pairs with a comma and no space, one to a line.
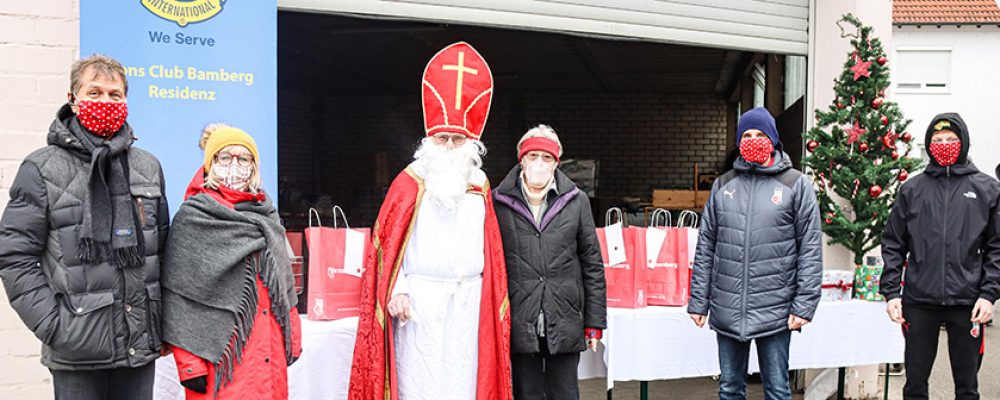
336,262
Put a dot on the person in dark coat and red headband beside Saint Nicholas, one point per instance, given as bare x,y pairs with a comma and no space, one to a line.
555,274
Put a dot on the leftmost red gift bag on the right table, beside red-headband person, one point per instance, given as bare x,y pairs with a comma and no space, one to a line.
626,284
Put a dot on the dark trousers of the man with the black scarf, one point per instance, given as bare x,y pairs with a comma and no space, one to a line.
105,384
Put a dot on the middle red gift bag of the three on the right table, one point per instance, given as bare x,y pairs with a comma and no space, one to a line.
663,251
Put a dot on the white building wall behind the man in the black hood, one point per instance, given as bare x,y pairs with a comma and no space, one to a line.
975,83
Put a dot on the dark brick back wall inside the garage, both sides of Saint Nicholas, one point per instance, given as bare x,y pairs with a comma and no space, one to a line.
643,141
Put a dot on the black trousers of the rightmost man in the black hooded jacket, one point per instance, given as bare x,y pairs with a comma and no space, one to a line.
965,350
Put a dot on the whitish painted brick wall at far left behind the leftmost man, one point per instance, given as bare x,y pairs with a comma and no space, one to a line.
38,42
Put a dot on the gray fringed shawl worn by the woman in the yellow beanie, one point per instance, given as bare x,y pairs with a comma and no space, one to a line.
213,257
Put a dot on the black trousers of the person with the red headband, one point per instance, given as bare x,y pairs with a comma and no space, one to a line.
544,376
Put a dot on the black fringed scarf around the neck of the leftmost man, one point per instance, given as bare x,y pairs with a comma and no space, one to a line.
111,231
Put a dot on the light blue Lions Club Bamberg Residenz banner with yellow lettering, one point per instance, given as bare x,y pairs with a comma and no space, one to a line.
191,63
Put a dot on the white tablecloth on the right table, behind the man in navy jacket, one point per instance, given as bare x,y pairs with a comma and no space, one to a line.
659,343
